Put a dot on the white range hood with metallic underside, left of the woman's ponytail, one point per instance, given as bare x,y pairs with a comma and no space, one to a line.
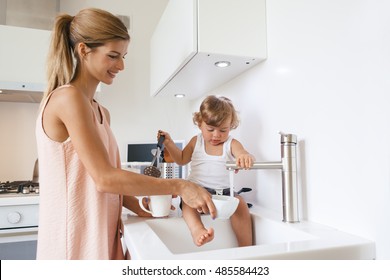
23,53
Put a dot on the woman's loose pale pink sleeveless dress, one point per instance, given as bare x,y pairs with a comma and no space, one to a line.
75,220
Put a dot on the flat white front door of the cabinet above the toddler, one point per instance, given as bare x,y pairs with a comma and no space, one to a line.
232,27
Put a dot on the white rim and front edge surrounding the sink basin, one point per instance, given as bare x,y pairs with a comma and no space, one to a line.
328,243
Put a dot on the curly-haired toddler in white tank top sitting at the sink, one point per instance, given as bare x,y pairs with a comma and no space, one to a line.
208,152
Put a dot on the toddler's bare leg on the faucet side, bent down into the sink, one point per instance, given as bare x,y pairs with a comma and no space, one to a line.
242,224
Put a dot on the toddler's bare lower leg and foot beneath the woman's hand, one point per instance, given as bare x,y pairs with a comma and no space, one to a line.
199,233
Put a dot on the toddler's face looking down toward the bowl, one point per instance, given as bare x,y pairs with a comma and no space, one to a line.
216,135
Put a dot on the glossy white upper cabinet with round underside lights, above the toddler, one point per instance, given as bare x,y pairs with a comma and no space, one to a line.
194,36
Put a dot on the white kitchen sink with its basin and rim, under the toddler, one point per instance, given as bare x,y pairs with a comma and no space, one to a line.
169,238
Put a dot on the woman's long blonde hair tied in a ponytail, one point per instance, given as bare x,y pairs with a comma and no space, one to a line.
93,27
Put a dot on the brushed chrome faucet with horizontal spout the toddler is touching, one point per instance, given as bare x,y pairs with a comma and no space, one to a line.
288,165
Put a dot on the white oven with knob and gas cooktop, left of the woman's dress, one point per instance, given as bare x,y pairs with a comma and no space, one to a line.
19,203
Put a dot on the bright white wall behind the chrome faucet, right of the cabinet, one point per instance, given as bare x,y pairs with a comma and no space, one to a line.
326,79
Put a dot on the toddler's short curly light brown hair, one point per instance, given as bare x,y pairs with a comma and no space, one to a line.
214,110
